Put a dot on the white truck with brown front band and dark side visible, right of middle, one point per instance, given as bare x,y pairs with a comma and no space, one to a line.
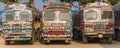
95,21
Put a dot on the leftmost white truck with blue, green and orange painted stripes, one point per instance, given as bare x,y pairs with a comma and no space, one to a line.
17,23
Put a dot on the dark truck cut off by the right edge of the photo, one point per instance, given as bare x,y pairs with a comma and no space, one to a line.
116,9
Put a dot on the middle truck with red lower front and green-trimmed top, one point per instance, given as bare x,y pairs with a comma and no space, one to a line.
56,22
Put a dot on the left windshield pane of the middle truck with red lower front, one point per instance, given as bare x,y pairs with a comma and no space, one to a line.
49,16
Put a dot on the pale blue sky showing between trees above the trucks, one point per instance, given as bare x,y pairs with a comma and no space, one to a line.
38,4
